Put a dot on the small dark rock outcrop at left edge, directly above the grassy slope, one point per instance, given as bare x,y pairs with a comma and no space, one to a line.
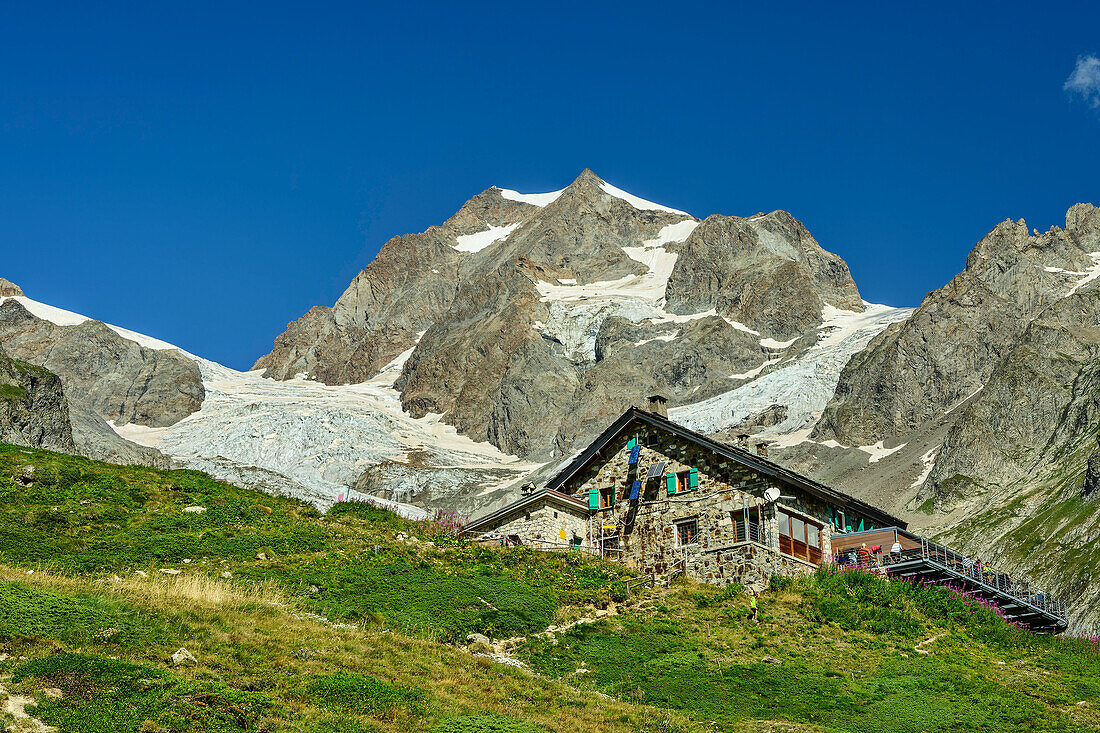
34,410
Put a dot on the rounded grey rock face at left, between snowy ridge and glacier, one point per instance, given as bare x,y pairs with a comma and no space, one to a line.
117,379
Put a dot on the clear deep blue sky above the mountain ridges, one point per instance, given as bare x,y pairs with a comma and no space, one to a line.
206,173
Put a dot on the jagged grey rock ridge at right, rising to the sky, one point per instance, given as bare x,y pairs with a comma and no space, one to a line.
916,371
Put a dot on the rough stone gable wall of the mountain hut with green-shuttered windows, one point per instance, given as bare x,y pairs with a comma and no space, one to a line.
646,530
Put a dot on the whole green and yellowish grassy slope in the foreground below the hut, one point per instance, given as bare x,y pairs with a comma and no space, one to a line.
307,623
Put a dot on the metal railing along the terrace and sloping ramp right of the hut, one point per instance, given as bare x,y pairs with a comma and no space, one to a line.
974,573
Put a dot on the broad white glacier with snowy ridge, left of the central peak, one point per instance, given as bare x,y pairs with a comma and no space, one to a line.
299,437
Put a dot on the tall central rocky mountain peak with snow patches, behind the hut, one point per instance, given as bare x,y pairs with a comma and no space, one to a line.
531,320
